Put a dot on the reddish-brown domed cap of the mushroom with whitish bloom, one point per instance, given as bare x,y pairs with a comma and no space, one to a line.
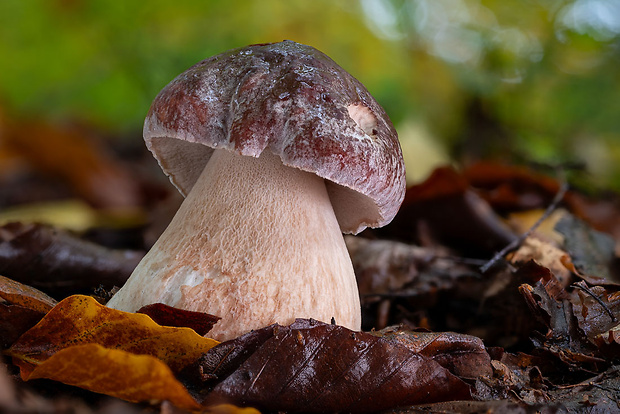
294,101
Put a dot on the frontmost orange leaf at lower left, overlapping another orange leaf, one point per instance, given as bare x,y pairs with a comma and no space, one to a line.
117,373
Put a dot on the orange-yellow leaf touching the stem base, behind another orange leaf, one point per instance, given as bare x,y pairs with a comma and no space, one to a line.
80,320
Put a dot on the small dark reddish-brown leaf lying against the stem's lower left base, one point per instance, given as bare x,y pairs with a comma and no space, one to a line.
168,316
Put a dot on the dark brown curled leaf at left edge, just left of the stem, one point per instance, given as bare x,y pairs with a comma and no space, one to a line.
60,263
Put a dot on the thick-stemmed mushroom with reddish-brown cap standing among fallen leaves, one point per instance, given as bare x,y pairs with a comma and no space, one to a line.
277,150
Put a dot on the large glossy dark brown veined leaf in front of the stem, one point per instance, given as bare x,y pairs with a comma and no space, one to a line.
310,366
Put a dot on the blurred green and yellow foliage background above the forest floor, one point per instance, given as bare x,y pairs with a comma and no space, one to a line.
515,80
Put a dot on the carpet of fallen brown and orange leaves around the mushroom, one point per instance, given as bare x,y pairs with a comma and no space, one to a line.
538,332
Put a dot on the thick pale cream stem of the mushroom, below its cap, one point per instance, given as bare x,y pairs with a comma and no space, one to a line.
255,242
